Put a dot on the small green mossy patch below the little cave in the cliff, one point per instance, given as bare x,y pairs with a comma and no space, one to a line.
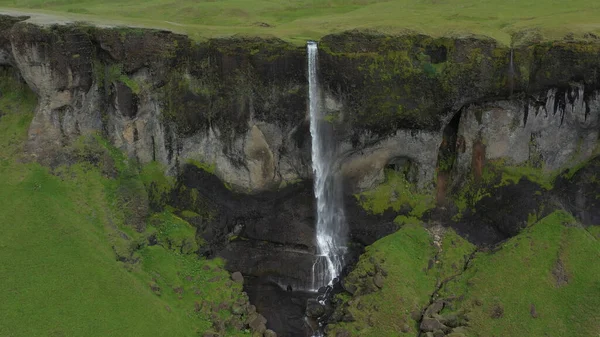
394,193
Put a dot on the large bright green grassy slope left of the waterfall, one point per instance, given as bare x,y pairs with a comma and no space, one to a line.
71,263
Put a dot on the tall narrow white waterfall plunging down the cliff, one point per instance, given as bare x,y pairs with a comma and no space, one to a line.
331,222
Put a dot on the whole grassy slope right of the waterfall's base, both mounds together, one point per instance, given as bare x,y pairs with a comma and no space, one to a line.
542,282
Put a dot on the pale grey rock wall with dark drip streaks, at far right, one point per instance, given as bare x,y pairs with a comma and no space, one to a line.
551,131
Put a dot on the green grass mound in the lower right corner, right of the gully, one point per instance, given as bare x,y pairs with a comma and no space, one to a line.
520,274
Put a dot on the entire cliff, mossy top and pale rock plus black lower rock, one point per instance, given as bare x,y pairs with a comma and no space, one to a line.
229,119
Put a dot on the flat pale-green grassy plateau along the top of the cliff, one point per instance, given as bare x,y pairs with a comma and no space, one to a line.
298,20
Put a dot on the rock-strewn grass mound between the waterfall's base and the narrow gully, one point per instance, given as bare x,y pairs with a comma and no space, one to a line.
408,258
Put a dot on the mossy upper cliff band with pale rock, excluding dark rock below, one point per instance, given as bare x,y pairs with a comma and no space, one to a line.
239,105
